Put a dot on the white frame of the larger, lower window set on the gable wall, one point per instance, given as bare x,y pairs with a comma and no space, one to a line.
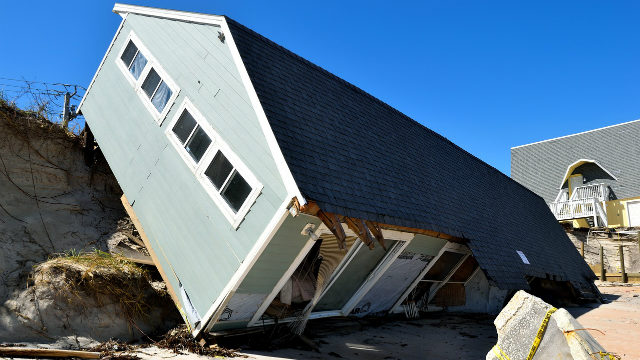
217,144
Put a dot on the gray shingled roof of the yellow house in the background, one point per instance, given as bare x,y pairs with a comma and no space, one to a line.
541,166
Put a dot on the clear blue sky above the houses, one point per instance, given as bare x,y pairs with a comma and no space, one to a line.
488,75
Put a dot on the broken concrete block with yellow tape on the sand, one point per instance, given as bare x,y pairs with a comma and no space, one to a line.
518,324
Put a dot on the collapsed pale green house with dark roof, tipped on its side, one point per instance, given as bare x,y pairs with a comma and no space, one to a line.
270,190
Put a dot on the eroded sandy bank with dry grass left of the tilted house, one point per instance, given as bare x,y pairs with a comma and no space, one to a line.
52,202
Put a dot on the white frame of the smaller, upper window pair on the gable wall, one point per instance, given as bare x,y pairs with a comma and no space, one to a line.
137,84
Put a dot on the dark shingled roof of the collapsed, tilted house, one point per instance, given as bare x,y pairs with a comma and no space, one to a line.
357,156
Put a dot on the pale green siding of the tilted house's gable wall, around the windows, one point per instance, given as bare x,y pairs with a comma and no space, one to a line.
185,226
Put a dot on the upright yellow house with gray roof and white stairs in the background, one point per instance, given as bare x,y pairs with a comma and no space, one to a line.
589,179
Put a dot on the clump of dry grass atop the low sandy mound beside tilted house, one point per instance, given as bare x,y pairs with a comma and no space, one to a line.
100,276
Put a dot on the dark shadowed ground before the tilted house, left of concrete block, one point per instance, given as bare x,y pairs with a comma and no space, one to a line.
441,336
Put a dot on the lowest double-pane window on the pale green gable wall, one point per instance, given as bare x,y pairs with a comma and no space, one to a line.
233,188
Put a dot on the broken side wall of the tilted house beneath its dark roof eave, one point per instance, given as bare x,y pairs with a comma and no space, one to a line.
353,267
